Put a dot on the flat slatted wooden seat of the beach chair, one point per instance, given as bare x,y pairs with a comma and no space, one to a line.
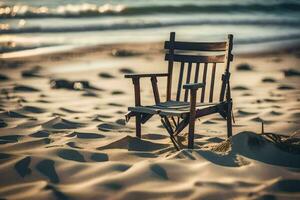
170,108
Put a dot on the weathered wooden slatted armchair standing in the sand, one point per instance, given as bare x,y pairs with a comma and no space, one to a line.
177,114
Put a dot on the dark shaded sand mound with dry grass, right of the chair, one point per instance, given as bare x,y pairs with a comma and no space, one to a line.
253,146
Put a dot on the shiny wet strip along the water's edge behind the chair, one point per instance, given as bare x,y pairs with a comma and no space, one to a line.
242,49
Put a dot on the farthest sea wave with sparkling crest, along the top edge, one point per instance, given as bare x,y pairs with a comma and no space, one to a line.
92,10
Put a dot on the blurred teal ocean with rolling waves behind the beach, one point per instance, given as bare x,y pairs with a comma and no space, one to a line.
257,25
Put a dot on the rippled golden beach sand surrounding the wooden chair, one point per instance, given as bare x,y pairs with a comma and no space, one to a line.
63,133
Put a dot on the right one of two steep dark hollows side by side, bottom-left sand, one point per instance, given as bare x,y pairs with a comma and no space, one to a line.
46,167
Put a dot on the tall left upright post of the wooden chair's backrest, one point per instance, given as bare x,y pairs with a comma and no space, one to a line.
170,66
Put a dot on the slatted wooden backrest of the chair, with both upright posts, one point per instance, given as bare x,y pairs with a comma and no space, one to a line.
201,59
